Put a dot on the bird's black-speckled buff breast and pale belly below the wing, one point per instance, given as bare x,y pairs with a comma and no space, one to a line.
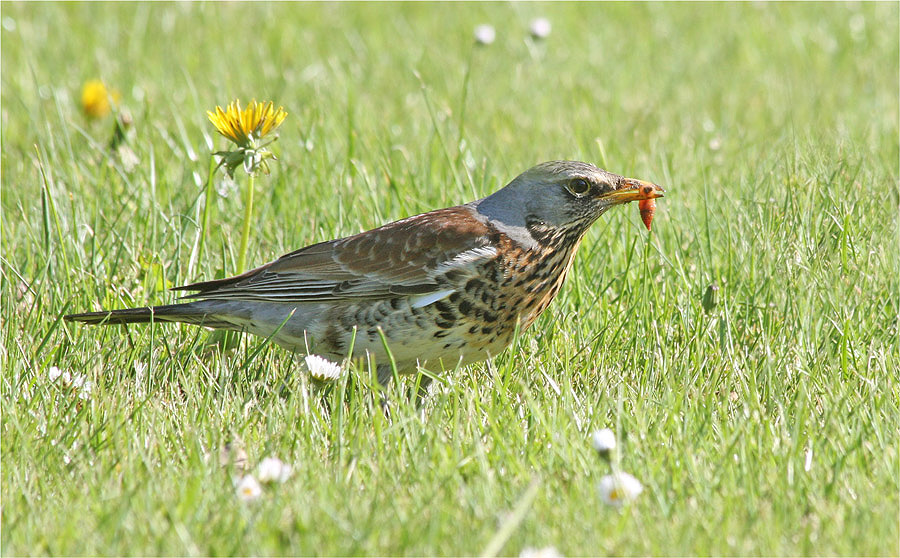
476,321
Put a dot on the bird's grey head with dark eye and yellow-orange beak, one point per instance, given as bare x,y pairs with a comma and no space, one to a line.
562,197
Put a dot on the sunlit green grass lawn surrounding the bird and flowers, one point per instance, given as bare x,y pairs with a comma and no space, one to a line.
767,425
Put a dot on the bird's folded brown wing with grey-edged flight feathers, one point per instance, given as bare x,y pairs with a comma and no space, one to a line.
403,258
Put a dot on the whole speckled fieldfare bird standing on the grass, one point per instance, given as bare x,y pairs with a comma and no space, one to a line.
448,287
